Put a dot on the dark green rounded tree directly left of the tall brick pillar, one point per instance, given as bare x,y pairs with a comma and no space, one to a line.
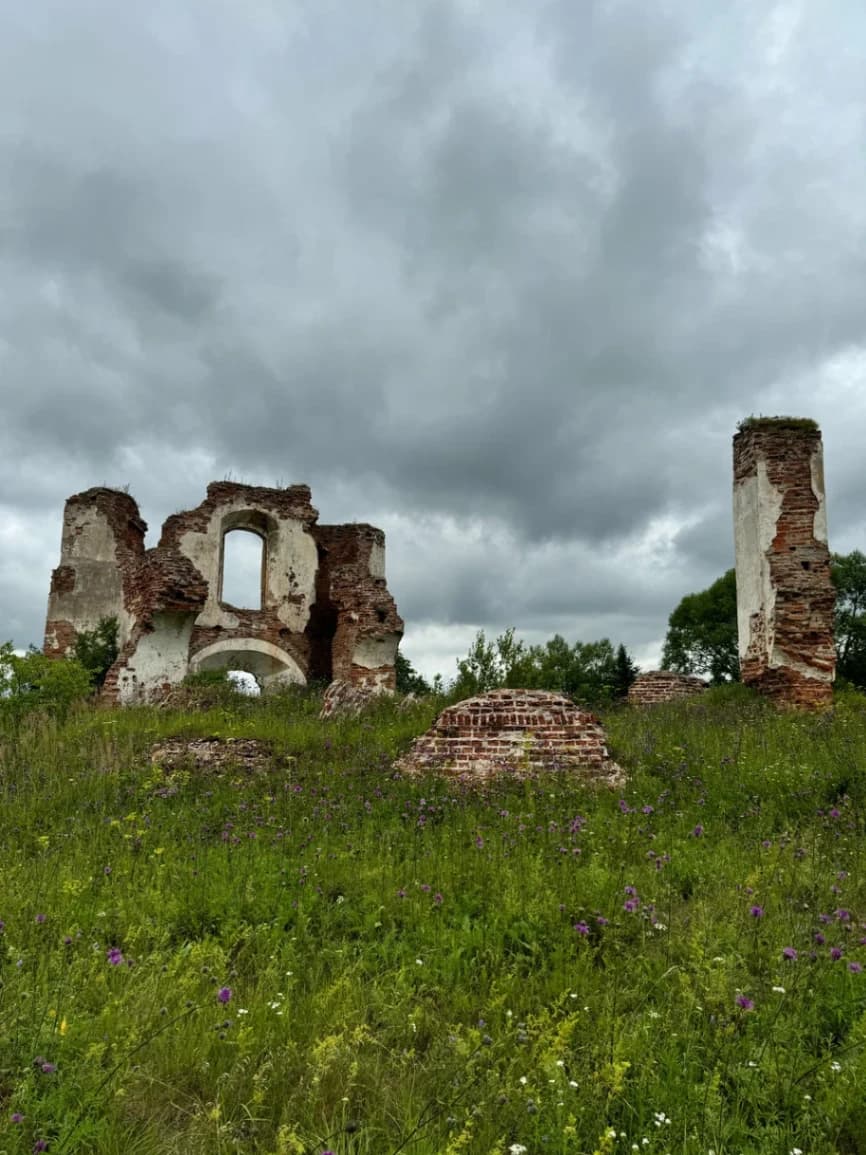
703,634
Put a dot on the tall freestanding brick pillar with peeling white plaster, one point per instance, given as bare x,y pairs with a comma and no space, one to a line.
786,599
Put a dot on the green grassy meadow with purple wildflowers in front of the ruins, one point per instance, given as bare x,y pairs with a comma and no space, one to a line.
322,957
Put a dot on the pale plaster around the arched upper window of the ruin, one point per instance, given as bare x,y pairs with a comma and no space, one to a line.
292,563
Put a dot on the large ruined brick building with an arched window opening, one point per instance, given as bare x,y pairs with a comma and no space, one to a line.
325,613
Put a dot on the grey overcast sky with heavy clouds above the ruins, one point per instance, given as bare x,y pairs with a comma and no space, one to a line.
499,278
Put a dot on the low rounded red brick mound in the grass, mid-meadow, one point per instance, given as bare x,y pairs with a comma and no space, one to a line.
514,733
